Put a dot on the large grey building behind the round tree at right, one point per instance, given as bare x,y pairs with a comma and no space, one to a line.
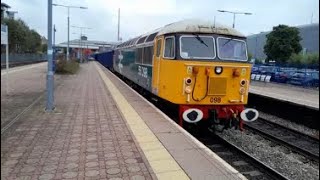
309,34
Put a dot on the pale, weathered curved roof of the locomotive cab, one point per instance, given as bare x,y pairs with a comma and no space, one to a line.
184,26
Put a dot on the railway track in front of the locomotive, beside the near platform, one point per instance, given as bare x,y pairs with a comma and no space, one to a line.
246,164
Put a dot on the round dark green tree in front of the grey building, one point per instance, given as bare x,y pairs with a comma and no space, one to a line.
282,42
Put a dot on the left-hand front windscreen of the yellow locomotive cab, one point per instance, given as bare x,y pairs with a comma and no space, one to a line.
197,47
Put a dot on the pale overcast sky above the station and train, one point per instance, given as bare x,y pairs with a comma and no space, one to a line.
141,16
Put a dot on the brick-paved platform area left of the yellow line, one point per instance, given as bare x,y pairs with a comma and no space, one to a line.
84,138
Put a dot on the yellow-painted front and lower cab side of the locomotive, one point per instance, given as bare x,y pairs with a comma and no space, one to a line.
225,86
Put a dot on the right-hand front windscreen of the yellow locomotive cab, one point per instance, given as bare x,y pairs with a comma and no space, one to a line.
232,49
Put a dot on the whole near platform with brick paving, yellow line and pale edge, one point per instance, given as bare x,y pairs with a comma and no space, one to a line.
102,129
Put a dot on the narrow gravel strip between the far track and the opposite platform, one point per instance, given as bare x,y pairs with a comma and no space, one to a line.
289,124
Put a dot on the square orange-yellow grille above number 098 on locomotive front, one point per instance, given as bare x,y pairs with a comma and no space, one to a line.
217,86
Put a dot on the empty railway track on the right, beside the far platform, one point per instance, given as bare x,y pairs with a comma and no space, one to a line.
294,140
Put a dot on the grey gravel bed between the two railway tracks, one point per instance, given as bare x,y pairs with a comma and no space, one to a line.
291,165
